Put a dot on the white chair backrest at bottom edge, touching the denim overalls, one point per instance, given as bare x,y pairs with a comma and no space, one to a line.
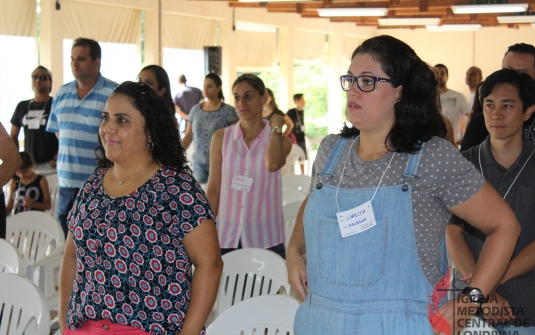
265,315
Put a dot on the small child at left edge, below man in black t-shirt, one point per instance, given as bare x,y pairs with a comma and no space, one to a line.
30,191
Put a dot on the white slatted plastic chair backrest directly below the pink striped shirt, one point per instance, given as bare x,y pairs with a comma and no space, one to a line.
248,273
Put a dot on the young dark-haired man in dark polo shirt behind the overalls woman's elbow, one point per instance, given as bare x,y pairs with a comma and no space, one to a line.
506,159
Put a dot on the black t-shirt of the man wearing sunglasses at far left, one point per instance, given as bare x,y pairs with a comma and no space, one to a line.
33,117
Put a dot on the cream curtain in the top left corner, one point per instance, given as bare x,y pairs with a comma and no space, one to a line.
18,18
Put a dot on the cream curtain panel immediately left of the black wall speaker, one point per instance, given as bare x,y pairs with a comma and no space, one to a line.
186,32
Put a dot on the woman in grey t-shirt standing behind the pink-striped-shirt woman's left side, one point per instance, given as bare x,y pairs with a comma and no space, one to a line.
204,119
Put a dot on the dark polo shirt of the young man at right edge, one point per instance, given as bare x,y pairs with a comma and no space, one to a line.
519,291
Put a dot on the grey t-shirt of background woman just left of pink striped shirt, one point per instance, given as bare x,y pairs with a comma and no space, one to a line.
204,125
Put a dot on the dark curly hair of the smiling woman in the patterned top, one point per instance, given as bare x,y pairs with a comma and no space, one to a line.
159,123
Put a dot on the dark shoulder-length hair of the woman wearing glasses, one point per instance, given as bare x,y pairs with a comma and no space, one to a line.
417,116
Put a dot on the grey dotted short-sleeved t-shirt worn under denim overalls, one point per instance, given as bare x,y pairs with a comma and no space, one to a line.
445,179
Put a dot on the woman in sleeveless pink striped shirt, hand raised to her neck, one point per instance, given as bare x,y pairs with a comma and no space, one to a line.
244,187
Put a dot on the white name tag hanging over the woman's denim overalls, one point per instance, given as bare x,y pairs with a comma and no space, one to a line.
356,220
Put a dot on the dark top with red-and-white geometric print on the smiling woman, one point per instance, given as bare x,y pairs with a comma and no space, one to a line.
132,266
